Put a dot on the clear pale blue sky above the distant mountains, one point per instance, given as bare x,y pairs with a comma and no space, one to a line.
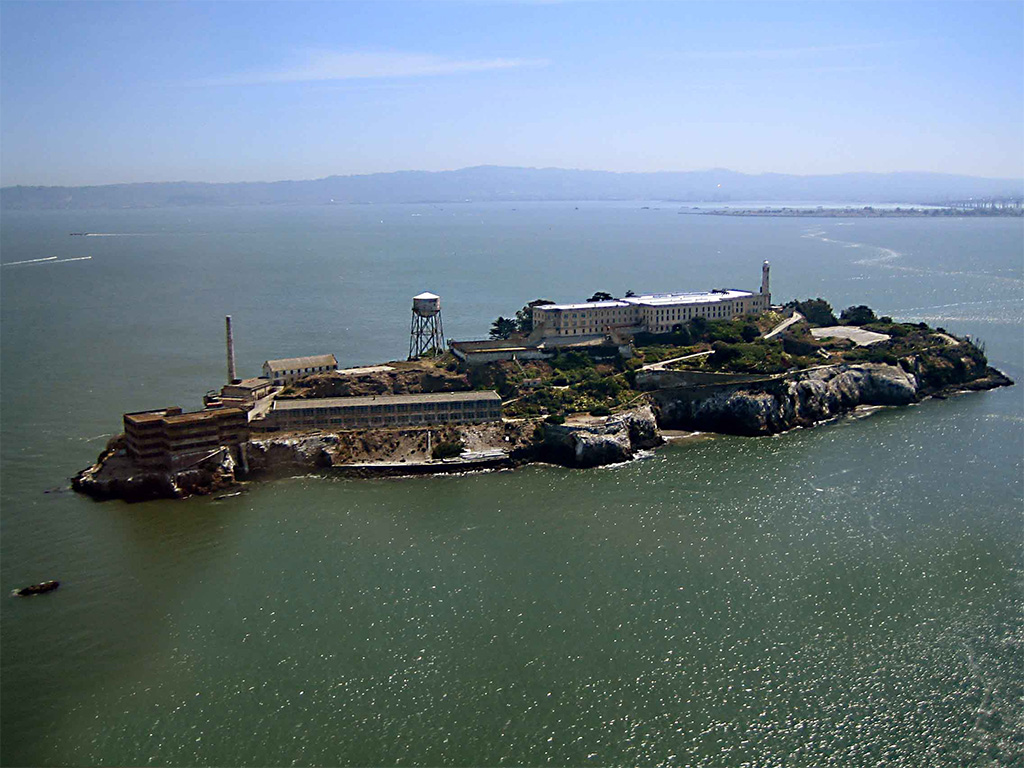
97,93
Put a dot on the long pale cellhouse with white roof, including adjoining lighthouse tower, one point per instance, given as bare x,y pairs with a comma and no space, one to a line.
653,313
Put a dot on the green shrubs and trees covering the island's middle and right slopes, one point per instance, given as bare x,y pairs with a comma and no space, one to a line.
599,380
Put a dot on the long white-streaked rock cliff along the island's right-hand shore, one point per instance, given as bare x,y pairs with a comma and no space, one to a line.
784,404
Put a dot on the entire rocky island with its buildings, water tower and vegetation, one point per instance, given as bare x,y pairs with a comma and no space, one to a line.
577,385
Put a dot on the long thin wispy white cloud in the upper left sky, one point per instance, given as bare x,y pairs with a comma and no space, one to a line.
326,66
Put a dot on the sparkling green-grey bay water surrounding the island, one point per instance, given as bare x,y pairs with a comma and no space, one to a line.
845,595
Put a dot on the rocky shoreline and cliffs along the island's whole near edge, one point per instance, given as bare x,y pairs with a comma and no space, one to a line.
798,400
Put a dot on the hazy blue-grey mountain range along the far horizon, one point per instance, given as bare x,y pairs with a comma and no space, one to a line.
502,184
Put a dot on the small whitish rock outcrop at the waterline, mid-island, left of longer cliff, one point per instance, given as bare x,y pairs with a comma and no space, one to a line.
616,440
